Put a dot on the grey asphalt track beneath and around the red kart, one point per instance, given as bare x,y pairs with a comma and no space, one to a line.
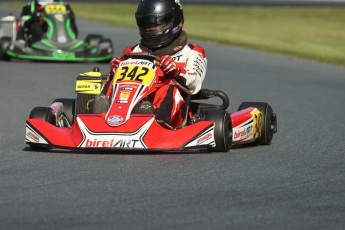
297,182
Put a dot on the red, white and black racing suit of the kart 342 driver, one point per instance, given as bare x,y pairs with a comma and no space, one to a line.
168,100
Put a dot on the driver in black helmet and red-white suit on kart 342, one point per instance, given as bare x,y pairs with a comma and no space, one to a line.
160,26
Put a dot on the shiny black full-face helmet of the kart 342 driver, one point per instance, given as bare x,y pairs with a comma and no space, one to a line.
159,22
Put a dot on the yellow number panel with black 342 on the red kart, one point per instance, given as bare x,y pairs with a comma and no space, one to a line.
134,73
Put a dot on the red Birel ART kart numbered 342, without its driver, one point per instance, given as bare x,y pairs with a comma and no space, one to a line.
128,123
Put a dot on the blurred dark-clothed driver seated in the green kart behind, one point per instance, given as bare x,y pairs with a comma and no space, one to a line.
31,28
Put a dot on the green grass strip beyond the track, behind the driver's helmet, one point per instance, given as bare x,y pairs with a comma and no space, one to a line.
312,33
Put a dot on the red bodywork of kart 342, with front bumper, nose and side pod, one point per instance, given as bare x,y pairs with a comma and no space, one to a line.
120,128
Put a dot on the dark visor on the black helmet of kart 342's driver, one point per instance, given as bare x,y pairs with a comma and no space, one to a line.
151,21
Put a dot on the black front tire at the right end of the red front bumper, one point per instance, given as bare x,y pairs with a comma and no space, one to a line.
222,129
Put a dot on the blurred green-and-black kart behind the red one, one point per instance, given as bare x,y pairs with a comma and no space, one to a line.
58,44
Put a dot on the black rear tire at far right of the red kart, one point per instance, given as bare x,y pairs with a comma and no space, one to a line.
268,124
